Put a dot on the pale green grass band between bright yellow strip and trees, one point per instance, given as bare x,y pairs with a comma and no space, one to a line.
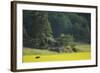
33,51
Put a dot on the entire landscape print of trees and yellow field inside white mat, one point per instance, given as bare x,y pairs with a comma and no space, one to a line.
56,36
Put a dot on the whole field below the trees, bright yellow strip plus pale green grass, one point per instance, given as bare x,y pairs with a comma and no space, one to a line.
30,54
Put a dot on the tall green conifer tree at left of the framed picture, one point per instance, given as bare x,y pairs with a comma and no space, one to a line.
41,29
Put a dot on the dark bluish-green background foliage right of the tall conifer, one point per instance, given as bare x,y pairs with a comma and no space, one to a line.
76,24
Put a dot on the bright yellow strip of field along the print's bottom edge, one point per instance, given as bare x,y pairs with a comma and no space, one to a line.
57,57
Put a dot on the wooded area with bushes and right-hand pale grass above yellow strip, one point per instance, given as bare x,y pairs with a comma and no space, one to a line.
56,31
